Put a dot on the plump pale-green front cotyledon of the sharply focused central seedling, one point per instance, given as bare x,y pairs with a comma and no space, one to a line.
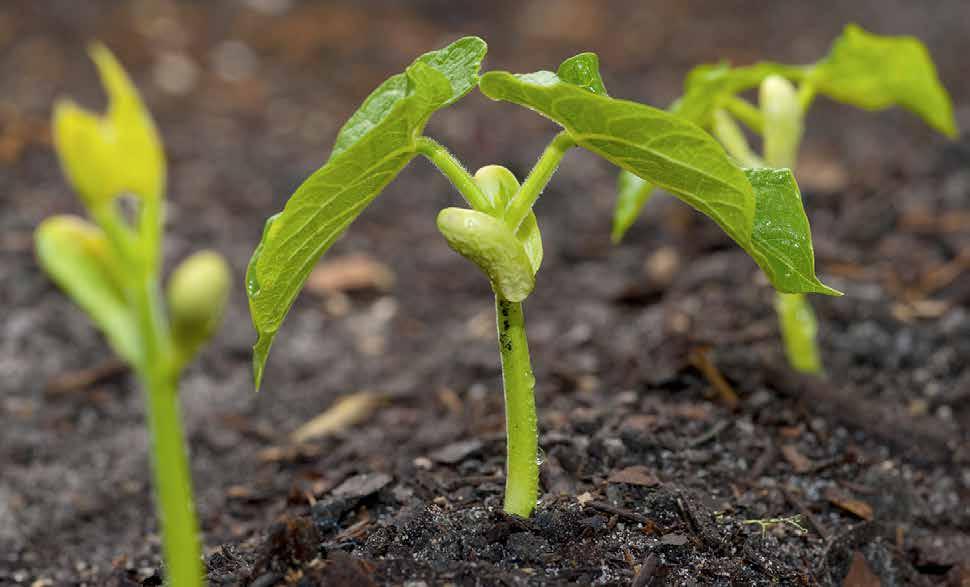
489,243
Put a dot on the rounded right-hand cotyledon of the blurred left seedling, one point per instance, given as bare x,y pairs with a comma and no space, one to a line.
197,293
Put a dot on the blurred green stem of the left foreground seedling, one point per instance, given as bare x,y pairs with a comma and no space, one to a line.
170,467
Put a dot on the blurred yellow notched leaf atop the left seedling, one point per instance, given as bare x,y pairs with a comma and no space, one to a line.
117,153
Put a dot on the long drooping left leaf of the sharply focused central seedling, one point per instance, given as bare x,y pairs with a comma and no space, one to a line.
372,148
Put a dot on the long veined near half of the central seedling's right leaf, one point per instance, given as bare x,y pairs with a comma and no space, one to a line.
657,146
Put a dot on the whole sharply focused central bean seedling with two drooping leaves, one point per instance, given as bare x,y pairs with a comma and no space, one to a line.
760,209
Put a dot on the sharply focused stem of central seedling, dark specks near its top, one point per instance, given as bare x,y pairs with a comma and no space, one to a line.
522,432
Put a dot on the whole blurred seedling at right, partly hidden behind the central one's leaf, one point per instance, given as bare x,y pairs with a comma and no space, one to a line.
864,70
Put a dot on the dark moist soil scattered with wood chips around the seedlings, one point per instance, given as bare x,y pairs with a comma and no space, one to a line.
652,473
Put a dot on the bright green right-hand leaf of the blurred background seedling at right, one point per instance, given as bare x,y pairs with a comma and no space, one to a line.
875,72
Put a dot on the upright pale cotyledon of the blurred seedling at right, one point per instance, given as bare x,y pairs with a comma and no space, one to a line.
782,114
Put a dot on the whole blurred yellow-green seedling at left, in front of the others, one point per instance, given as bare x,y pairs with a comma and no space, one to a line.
111,266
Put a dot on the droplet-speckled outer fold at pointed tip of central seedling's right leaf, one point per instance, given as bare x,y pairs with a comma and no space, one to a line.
781,241
